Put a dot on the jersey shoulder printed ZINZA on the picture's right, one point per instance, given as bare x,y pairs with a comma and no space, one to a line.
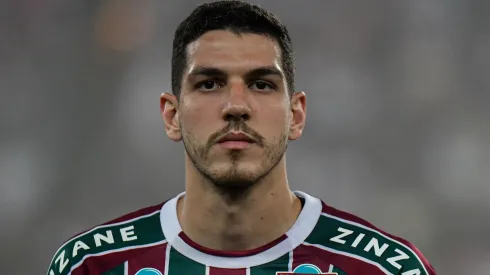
344,233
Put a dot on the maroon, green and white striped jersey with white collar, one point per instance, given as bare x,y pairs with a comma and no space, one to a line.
323,240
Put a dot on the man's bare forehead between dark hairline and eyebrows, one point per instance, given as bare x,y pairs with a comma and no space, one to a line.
229,51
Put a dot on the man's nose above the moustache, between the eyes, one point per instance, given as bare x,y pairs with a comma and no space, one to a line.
237,106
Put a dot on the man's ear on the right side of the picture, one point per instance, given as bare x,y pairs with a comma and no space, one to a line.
298,118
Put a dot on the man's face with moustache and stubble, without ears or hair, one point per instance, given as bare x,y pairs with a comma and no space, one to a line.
234,110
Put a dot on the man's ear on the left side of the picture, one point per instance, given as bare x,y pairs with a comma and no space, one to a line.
168,109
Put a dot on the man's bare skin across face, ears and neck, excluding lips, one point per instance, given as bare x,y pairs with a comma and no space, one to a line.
235,199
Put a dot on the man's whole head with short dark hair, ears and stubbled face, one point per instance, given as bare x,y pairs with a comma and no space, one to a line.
233,103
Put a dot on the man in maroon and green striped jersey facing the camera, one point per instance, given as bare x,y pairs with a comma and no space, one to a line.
234,108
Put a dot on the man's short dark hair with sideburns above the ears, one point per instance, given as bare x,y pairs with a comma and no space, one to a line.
235,16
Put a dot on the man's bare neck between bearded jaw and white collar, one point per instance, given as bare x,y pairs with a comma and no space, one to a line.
223,220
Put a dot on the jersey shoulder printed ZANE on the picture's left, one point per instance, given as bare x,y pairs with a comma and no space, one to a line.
111,243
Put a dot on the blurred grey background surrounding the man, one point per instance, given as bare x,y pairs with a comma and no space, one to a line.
398,125
